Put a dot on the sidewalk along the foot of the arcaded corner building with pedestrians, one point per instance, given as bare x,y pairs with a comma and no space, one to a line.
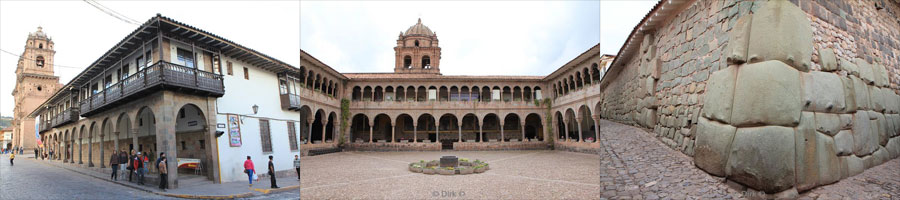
227,190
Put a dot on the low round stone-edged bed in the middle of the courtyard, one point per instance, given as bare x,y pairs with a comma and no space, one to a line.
465,166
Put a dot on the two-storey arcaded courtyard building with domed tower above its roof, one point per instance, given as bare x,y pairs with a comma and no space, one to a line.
418,108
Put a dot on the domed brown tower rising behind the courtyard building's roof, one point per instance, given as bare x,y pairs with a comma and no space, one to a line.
417,51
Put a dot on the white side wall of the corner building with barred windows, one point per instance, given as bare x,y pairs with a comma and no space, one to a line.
240,96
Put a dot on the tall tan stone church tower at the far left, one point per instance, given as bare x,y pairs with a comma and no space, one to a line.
35,82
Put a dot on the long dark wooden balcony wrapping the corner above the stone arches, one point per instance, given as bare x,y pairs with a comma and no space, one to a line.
162,75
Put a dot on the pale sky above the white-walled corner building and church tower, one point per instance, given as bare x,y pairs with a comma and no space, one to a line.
82,33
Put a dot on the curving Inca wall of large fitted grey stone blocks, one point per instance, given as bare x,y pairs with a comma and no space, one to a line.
779,96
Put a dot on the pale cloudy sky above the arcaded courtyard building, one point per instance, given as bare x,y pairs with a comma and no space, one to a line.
477,38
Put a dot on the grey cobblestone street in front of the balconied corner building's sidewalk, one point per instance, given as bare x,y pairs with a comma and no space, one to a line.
31,180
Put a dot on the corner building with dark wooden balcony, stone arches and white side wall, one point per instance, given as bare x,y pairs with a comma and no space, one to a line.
162,88
